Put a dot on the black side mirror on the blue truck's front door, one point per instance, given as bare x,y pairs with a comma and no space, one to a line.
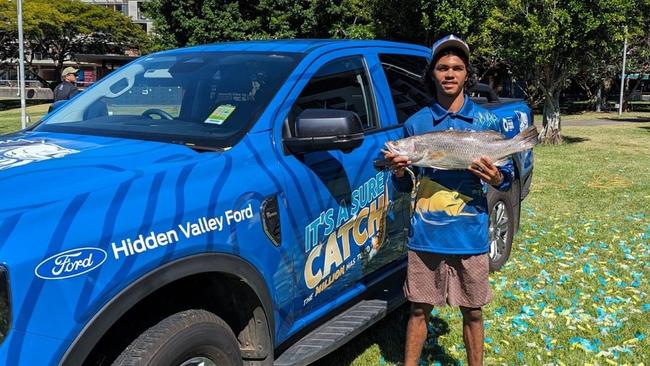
325,129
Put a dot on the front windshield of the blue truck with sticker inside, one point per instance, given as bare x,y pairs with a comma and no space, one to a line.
206,99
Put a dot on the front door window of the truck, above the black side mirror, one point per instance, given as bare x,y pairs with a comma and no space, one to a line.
340,84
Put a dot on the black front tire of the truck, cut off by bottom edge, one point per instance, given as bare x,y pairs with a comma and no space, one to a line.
191,334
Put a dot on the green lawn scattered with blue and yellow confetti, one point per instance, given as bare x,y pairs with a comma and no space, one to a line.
575,291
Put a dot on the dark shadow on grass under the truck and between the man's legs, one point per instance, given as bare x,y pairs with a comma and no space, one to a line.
389,336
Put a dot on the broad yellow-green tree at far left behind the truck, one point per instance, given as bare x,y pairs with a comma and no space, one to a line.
60,29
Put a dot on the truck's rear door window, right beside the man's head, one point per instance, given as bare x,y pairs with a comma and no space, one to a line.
404,74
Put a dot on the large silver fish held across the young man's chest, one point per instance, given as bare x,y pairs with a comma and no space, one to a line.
455,150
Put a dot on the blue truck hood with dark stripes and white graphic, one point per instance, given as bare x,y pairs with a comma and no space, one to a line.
39,168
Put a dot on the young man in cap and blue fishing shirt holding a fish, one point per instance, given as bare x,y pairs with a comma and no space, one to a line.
448,261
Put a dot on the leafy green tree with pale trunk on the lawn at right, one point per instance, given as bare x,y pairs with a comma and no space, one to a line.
547,41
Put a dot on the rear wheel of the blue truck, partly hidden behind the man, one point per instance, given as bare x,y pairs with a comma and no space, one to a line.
501,227
